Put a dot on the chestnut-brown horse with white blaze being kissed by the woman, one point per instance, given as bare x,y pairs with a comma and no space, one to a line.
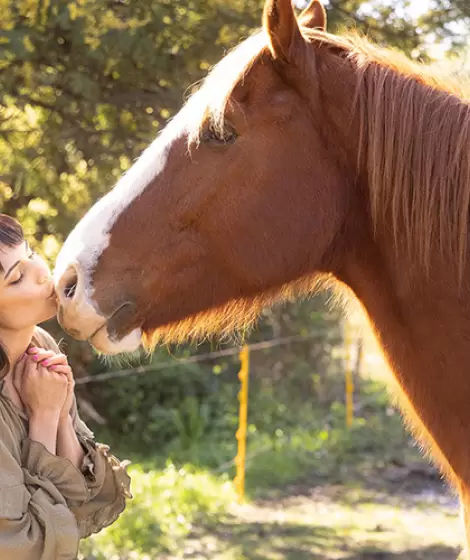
303,156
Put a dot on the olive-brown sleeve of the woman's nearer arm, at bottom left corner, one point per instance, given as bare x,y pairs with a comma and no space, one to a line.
35,522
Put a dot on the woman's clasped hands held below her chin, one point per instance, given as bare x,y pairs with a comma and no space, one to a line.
42,391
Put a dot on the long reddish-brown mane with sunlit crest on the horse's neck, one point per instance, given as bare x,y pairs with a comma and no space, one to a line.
414,139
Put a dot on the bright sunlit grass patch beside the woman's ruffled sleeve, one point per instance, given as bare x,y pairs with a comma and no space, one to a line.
166,506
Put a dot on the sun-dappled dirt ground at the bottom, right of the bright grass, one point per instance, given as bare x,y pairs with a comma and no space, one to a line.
398,516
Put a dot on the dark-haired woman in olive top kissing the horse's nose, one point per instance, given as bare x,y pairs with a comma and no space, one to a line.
56,484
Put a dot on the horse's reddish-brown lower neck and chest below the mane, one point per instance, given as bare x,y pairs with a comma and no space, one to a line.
423,326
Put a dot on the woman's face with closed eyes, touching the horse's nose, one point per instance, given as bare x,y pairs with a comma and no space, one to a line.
26,290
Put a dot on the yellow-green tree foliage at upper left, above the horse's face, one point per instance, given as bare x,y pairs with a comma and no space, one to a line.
85,87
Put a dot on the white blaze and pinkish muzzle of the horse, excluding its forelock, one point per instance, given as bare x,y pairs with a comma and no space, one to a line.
90,238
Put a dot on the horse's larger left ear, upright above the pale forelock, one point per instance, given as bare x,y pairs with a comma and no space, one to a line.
280,23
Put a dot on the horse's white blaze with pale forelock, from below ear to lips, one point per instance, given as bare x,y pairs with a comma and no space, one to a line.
78,258
